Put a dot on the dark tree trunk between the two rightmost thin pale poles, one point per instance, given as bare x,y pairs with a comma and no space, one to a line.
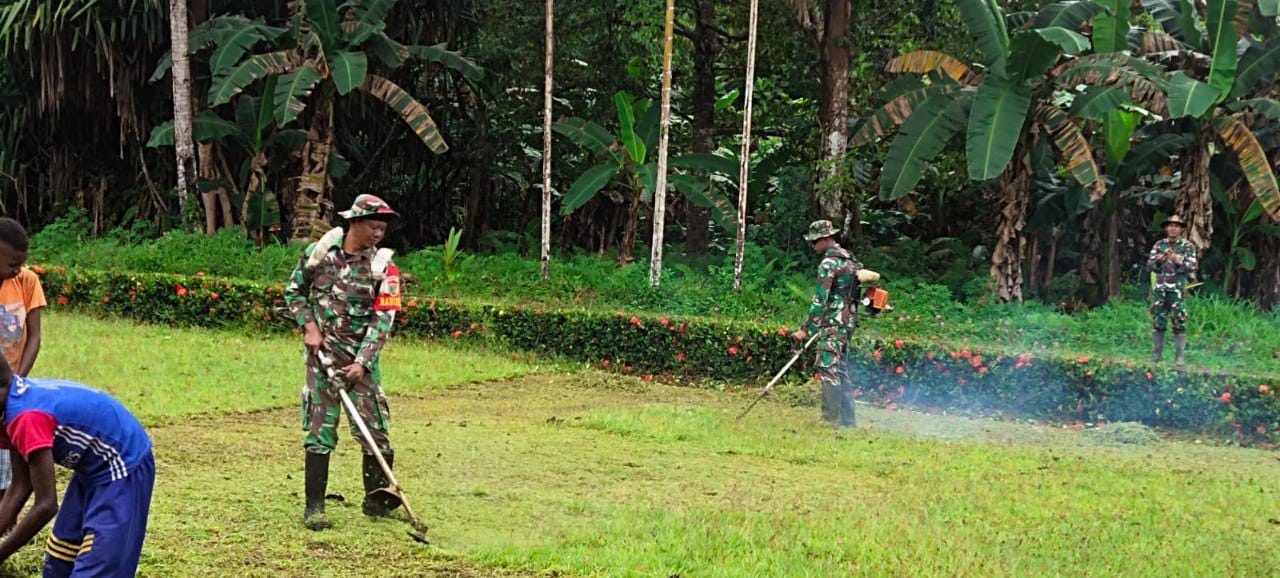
707,49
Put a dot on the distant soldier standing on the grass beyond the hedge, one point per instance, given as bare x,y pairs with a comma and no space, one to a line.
1173,260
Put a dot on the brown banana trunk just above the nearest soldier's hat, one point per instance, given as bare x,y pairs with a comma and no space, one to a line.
312,204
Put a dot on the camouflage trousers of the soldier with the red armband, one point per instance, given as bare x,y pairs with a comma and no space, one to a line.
322,409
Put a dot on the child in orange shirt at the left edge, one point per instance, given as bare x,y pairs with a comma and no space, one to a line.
21,300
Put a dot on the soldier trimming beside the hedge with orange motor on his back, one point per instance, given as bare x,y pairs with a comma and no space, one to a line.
834,316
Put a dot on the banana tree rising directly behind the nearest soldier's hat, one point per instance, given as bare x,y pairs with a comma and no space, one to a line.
327,52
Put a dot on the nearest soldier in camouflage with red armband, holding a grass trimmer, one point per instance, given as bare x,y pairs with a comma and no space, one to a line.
345,295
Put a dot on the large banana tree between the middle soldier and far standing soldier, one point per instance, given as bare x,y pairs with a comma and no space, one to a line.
1007,109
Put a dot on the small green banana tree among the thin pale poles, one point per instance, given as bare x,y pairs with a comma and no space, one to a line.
624,164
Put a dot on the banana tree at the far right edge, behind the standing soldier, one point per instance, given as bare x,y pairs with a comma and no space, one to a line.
1217,74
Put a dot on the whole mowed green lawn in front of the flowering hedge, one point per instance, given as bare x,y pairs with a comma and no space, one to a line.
531,470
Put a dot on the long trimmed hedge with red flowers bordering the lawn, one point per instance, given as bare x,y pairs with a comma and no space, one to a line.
924,375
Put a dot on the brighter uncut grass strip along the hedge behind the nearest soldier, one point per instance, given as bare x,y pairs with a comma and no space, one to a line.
166,374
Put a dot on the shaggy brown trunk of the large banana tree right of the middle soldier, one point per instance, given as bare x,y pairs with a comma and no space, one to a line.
1007,260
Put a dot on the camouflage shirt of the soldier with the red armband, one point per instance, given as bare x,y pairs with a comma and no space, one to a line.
339,295
